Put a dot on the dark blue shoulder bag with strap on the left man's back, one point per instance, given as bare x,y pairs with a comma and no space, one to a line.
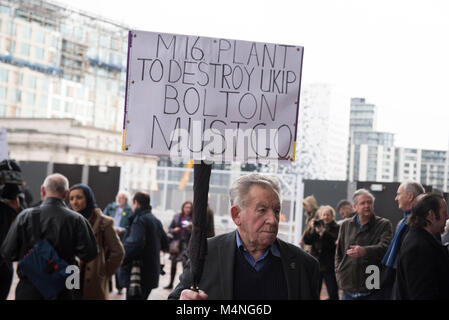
42,264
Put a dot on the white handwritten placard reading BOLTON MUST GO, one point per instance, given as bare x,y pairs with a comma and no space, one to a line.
210,98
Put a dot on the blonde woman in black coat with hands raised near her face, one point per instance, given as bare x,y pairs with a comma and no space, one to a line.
322,235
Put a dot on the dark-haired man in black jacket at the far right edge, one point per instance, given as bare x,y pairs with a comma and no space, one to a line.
423,263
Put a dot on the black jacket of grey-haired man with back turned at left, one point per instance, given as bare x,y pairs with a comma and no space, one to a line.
67,231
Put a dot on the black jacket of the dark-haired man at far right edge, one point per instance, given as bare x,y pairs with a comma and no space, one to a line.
423,268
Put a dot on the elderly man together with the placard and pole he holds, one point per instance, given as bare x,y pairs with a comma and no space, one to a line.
209,99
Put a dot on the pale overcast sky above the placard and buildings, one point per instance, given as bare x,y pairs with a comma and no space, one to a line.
394,53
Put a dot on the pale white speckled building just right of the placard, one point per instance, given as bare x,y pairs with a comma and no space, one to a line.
322,133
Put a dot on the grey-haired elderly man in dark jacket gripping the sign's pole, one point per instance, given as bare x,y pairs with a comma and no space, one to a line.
251,262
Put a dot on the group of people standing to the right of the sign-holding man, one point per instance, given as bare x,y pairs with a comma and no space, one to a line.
413,260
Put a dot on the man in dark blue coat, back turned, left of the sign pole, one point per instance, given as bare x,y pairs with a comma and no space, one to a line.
143,242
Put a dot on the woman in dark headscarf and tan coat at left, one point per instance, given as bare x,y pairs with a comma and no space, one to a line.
95,275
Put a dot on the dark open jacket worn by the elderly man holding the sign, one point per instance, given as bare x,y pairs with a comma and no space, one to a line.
301,271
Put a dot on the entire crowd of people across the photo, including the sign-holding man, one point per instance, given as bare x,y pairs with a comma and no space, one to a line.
125,241
